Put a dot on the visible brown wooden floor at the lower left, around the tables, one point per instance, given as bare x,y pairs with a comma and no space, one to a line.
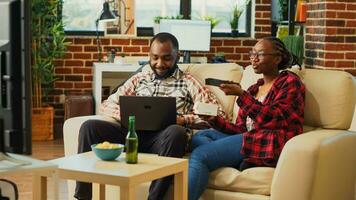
43,150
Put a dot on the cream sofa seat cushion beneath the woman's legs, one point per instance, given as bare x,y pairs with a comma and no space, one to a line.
253,180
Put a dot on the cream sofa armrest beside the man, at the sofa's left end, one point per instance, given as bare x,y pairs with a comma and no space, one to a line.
71,131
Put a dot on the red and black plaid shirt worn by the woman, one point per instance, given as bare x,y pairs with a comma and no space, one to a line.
277,119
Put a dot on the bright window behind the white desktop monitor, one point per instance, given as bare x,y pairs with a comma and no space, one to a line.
221,10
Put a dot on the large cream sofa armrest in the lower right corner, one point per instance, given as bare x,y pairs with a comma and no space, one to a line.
317,165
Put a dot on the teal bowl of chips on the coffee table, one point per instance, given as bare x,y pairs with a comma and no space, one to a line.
107,150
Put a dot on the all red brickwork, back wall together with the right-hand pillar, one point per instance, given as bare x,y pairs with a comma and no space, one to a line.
330,43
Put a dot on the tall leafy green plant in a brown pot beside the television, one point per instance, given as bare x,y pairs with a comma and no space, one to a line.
48,43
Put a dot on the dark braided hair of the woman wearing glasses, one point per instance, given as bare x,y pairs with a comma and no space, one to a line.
288,59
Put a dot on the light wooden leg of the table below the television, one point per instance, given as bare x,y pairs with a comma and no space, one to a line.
39,185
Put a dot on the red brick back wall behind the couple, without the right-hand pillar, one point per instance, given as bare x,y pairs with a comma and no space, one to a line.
74,71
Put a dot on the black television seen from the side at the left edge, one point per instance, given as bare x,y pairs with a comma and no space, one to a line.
15,75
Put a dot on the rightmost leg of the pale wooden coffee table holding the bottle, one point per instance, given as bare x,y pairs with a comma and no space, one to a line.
181,185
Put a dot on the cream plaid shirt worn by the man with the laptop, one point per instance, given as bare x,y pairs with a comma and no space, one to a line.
180,85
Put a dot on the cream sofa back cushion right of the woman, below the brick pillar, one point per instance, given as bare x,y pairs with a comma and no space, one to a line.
329,106
